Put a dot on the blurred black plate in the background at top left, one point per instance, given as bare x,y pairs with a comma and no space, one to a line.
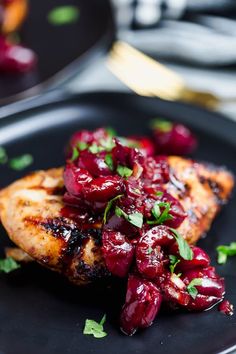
60,49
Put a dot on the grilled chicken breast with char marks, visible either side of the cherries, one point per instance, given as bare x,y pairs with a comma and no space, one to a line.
30,211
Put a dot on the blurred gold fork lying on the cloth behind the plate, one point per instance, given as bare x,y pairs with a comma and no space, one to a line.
147,77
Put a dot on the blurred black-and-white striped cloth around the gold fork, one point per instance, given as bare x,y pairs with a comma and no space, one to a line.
194,38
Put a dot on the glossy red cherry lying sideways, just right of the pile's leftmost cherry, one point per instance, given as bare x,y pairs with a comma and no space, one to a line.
102,189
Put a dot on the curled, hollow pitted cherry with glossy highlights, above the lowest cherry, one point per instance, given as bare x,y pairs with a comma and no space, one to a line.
150,258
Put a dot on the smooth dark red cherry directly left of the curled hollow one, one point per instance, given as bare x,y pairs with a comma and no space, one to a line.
118,252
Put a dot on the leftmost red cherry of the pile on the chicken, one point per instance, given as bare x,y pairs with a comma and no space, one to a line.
76,179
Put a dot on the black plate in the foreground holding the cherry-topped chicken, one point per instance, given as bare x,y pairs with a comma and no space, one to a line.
39,311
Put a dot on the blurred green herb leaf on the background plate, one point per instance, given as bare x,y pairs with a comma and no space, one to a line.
63,15
